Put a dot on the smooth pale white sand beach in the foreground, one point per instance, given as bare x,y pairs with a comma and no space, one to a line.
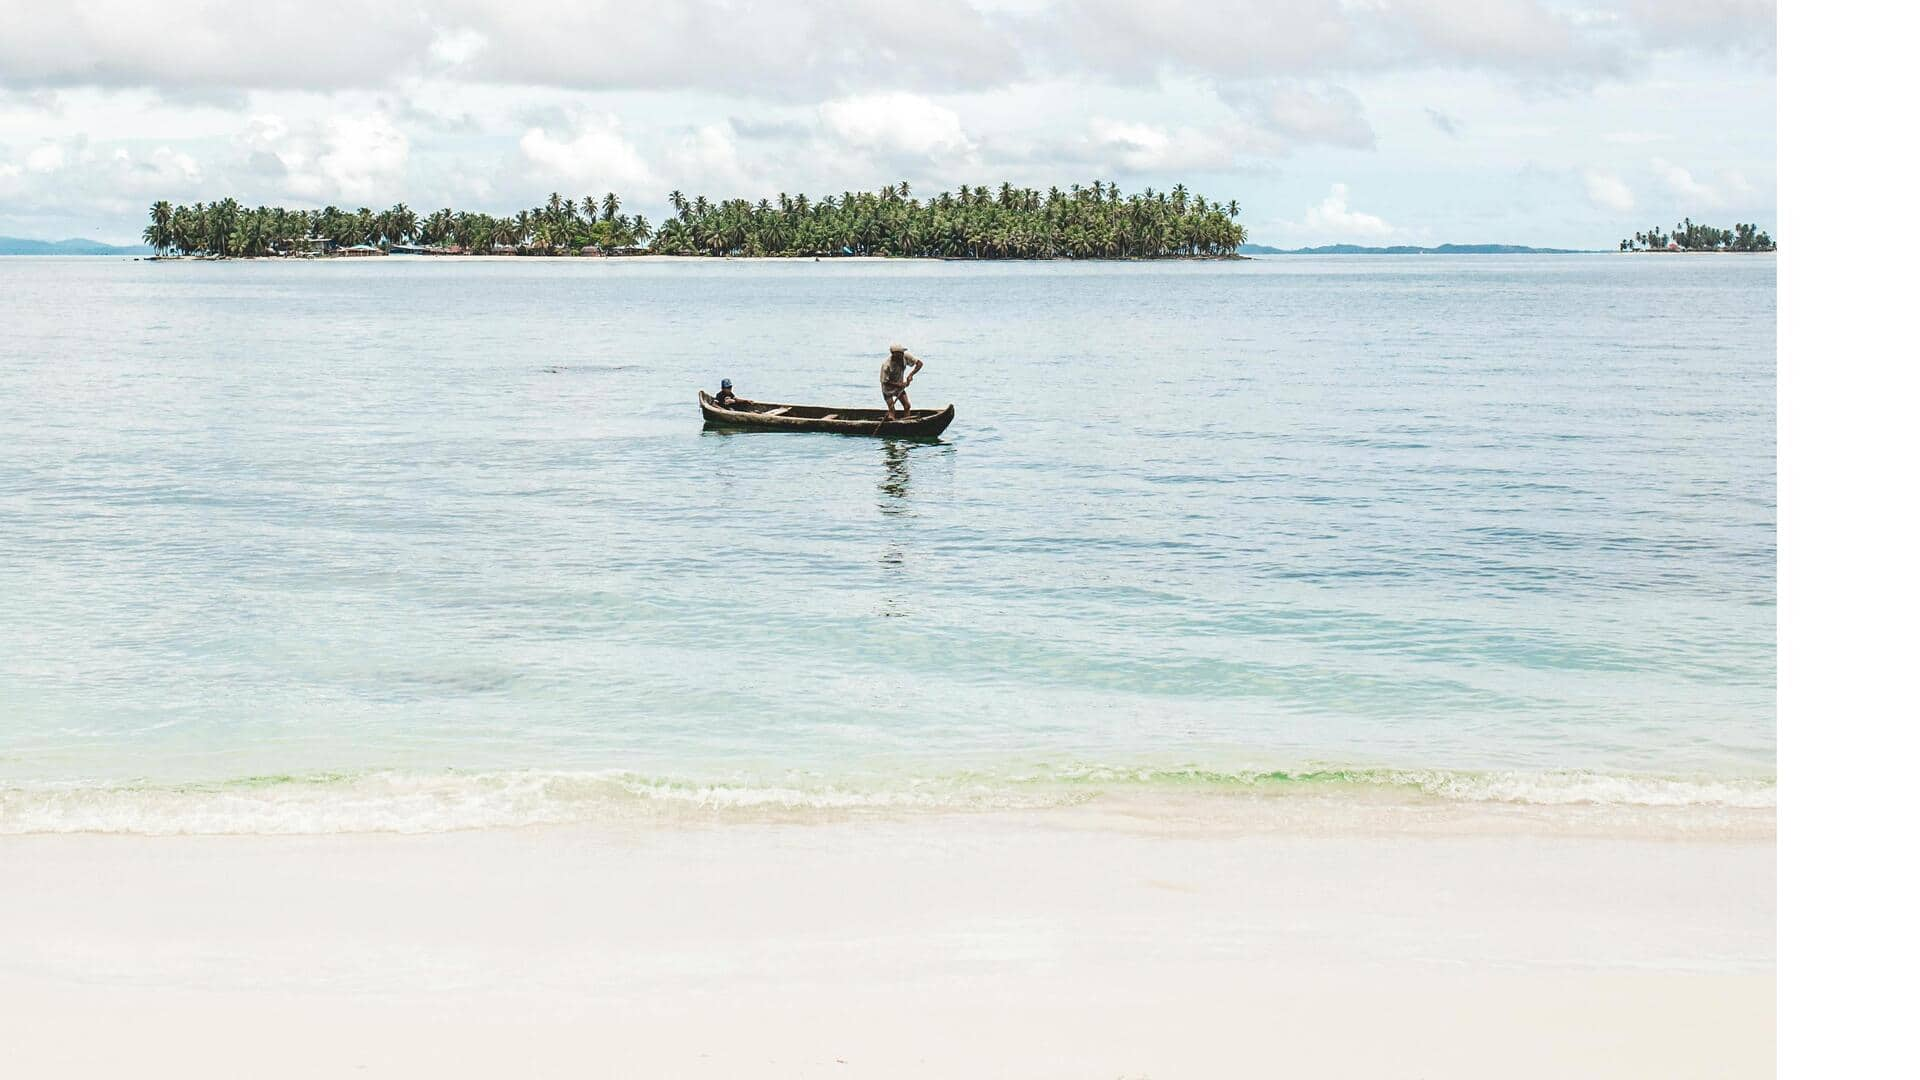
1026,945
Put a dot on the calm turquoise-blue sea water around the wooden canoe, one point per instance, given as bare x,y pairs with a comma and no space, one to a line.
423,518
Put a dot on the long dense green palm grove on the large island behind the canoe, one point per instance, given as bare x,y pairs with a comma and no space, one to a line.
971,224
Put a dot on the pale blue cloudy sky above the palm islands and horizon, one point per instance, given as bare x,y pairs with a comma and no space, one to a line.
1372,122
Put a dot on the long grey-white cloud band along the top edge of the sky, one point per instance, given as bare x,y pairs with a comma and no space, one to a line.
780,51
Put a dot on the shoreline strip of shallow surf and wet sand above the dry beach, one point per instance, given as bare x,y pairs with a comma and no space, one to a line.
1174,800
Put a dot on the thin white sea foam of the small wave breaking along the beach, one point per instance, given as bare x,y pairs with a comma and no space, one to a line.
446,802
